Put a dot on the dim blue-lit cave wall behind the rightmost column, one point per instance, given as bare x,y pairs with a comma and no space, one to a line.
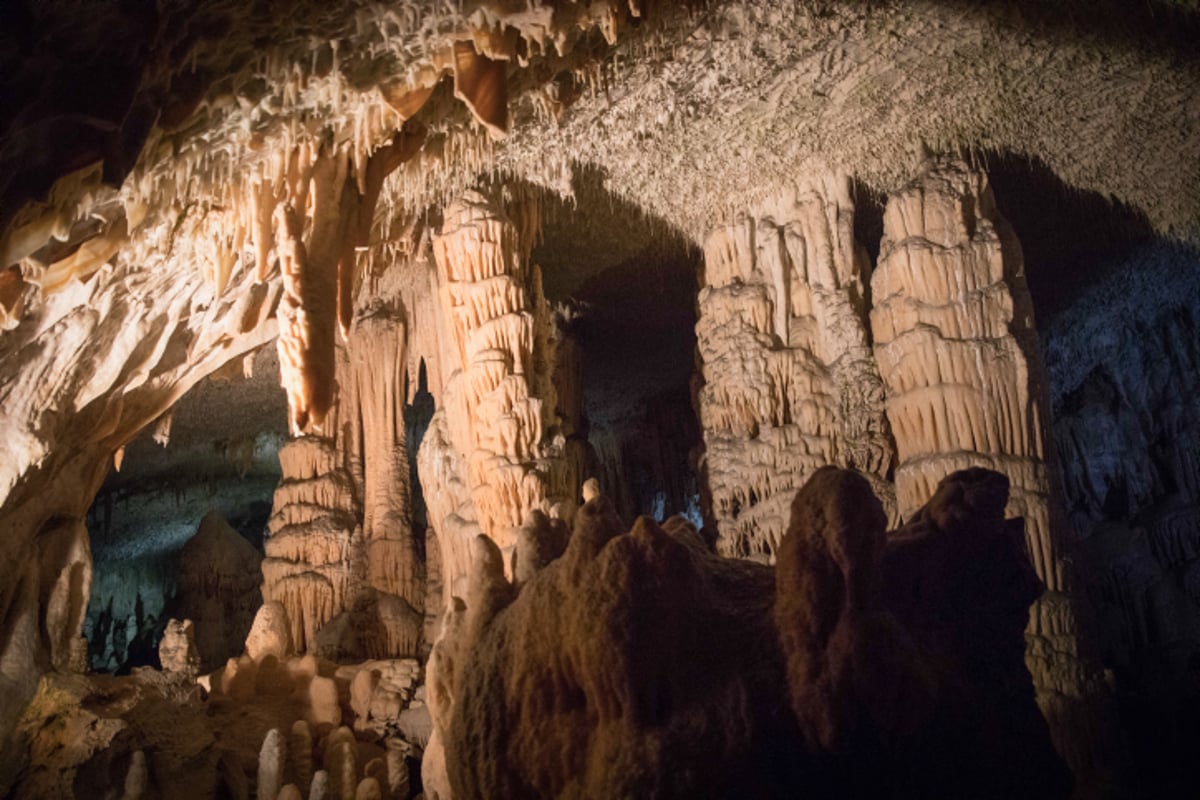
1123,366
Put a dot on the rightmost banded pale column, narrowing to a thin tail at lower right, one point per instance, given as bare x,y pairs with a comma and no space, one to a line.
959,354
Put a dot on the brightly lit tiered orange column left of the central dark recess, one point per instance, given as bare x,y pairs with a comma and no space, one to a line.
499,448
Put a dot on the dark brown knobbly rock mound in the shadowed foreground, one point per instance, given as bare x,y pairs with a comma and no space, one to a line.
663,667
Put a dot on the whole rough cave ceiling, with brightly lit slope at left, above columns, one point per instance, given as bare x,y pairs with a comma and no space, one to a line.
145,146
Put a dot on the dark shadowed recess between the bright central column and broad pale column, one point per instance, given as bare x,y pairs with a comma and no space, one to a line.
628,286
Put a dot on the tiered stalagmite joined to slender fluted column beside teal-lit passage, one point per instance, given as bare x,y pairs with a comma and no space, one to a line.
341,554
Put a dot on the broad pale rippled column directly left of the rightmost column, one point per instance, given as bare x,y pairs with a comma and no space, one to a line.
790,384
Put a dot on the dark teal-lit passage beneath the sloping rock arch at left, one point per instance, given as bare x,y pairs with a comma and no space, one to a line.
178,531
